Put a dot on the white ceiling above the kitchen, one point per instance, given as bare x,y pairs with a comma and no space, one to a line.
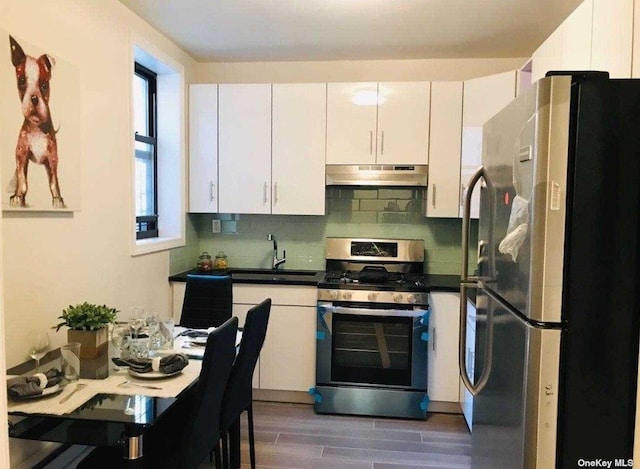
295,30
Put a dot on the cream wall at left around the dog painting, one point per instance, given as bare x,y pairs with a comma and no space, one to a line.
51,259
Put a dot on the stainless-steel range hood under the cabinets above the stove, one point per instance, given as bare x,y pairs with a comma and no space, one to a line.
376,175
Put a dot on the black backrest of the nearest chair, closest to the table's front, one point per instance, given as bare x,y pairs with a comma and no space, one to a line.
202,431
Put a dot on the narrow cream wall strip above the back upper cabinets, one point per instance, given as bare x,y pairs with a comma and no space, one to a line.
359,70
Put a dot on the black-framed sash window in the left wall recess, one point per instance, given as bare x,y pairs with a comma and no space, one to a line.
146,152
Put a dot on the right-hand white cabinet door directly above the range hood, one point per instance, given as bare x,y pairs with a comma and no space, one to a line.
403,123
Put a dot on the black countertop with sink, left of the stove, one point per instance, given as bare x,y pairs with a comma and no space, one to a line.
261,276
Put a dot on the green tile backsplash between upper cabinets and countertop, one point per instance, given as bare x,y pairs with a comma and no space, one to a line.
363,212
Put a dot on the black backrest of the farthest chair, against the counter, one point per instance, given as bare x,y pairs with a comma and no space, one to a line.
208,301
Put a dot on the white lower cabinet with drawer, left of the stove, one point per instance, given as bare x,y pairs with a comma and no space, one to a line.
288,356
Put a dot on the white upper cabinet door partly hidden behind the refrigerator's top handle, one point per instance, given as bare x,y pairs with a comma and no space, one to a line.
482,98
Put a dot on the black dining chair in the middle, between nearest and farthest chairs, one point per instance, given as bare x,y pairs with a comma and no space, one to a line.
238,396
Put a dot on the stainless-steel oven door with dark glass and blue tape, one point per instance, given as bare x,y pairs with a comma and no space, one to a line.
372,347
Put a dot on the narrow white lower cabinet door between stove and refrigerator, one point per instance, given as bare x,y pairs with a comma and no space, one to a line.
444,326
